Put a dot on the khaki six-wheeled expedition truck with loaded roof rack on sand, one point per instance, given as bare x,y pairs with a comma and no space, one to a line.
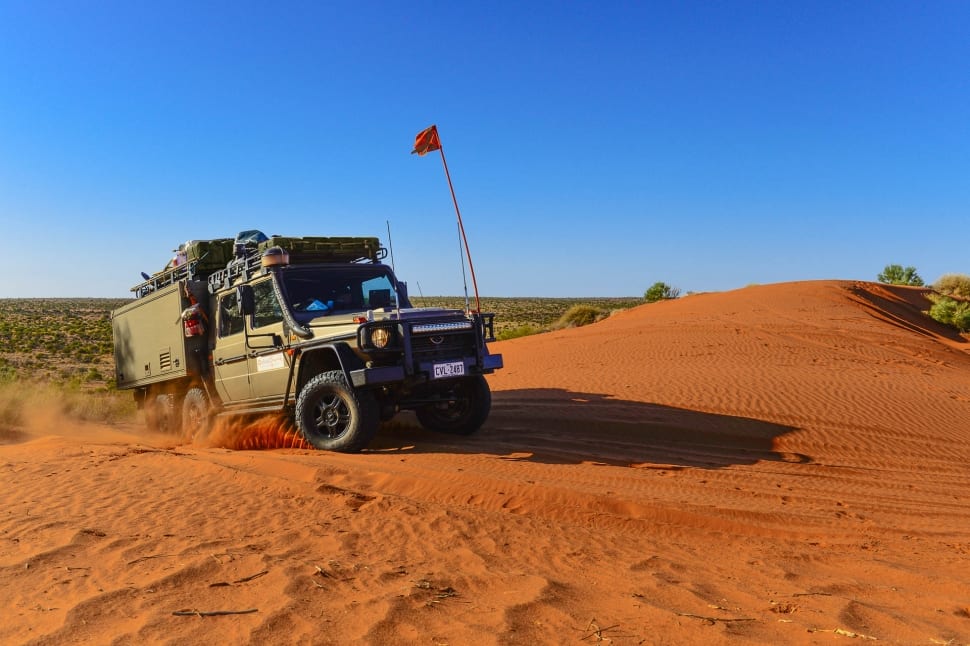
316,328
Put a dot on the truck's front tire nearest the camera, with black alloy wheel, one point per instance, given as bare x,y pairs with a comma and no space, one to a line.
333,416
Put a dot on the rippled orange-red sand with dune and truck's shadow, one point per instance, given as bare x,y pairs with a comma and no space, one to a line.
779,464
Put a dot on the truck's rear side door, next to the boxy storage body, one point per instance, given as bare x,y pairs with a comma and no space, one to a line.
229,356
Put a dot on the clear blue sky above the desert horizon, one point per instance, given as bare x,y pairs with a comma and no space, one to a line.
595,147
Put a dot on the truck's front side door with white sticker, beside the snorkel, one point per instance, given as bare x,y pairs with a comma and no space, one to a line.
269,365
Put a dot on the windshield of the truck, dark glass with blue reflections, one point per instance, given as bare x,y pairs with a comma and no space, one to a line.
319,291
